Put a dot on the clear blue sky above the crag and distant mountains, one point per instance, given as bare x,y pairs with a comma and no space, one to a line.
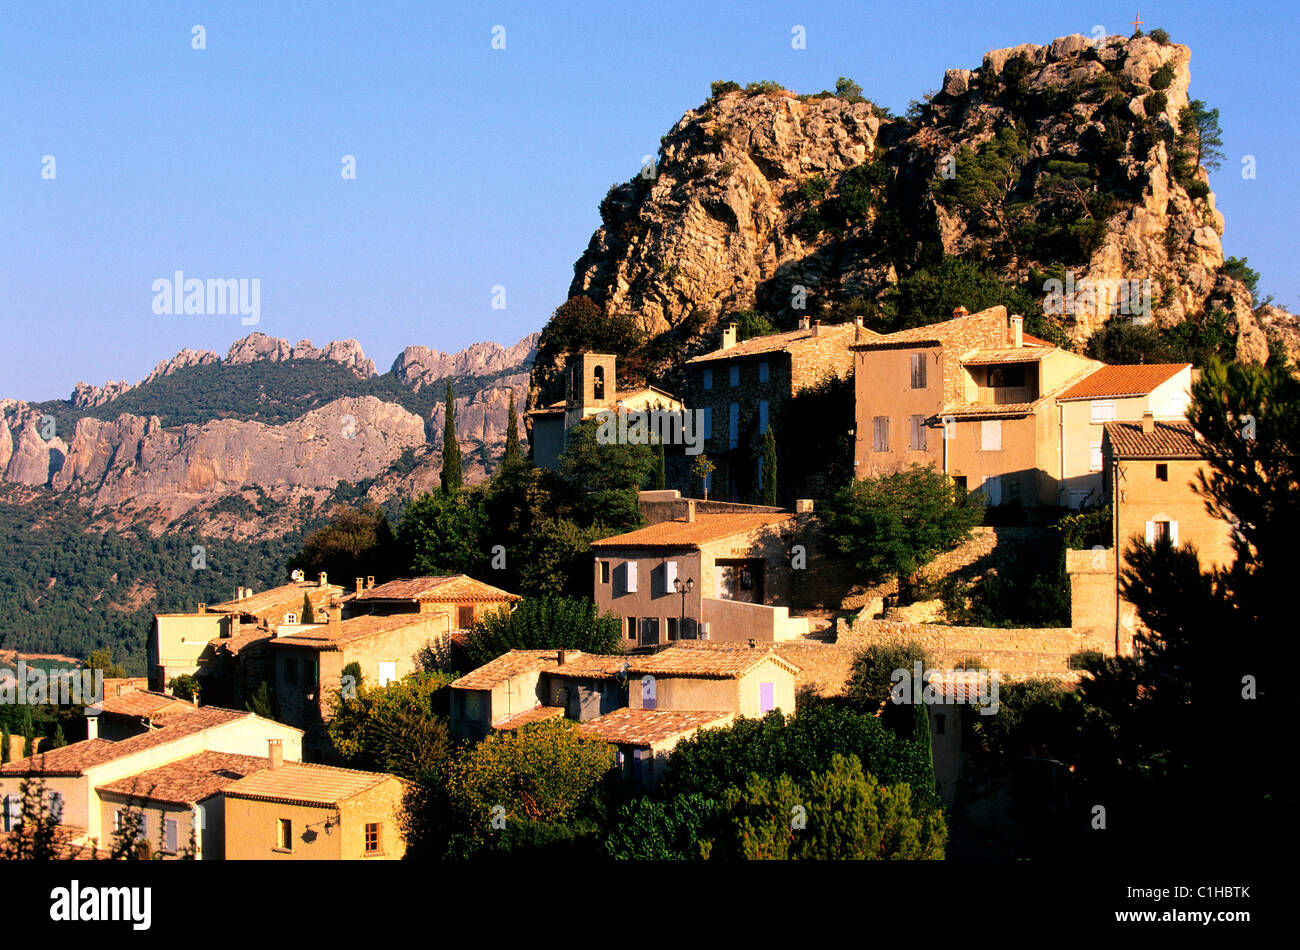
475,167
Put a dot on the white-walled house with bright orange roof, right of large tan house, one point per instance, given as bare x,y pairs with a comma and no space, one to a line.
1113,394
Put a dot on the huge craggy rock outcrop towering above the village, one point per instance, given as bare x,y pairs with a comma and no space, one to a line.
722,224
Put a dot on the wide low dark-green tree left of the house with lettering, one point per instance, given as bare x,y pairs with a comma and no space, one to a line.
545,623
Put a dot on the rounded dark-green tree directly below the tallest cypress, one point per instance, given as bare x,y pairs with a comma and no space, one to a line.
441,533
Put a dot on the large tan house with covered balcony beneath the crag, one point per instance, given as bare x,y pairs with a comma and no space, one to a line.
976,398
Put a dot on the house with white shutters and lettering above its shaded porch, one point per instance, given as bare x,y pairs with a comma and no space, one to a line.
708,576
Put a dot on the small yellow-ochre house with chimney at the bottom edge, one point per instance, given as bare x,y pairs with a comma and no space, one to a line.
298,812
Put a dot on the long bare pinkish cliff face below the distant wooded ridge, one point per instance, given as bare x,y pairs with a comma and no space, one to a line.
133,459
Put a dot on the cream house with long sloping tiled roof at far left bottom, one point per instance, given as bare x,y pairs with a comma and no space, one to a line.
76,773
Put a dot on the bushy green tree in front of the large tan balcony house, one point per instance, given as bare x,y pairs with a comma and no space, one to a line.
896,524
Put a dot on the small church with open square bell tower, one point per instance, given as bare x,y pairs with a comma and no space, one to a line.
591,383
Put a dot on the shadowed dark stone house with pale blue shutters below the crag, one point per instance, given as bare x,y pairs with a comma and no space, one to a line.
743,388
